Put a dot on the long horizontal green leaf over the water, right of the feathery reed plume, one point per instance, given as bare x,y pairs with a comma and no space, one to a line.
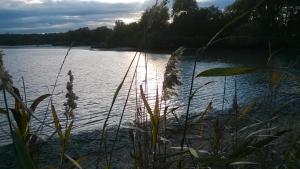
231,71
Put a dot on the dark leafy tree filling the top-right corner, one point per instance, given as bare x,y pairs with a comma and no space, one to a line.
273,20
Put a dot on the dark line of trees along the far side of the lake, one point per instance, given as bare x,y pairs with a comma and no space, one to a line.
275,21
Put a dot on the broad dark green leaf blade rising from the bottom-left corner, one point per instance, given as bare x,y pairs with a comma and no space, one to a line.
23,158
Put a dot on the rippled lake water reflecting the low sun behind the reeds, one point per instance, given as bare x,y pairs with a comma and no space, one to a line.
98,73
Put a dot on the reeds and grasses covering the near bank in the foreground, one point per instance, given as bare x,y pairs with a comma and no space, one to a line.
239,139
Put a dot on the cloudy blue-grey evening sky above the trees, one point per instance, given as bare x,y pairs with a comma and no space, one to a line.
45,16
